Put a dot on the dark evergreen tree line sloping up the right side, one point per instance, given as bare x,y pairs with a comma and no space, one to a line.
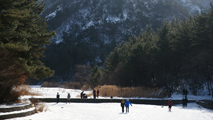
179,52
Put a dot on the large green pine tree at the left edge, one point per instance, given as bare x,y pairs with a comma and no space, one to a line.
23,37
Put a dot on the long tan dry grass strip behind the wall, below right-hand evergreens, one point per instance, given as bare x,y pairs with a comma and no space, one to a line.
113,90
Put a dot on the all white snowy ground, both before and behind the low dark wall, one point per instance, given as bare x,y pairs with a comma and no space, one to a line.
112,111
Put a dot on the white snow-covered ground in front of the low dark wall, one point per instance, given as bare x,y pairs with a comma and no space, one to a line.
112,111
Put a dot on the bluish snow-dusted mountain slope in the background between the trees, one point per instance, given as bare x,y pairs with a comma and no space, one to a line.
88,30
